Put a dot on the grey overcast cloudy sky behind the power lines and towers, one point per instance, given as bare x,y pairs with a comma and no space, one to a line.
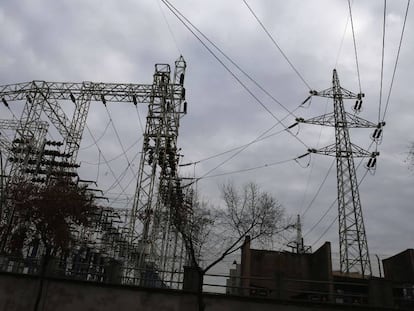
120,41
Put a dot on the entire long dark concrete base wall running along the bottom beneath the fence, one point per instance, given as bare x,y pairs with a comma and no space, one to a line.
18,293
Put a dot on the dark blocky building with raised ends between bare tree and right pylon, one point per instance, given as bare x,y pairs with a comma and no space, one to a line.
279,267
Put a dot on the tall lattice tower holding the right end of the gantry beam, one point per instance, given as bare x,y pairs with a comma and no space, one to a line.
159,164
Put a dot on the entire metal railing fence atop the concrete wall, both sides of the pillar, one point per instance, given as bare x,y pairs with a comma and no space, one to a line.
374,291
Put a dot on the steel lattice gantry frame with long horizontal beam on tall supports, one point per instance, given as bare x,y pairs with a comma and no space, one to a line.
148,237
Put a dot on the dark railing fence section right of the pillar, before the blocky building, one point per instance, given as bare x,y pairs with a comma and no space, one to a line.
356,291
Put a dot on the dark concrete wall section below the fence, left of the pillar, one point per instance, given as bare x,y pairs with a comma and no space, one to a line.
18,293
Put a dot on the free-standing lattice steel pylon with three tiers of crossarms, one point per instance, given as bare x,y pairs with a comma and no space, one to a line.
354,254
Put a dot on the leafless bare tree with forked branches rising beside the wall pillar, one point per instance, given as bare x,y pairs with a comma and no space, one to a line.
246,212
